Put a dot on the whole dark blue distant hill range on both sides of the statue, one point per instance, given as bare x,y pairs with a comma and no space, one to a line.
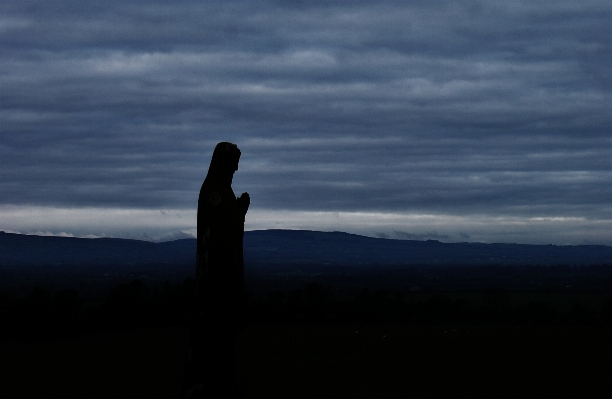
277,247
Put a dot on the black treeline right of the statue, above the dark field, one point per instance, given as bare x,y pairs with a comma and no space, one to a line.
319,303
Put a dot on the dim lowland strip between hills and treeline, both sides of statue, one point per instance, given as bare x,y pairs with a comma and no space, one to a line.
96,282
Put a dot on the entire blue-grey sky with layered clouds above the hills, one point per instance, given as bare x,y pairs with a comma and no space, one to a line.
480,121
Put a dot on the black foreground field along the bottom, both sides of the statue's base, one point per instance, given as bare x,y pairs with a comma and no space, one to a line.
308,360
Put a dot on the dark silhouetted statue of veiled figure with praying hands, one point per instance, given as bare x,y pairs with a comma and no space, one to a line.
219,279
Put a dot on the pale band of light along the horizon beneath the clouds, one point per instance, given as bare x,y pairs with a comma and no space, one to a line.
171,224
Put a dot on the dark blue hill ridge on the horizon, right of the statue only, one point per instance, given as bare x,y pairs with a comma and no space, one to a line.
302,246
